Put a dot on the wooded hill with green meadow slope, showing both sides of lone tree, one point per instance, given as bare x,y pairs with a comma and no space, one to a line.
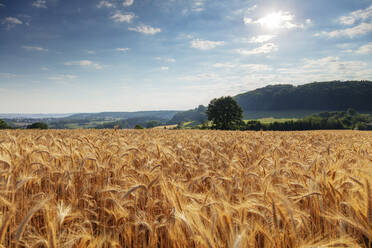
289,101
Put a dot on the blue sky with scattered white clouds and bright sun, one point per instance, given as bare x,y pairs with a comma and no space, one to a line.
127,55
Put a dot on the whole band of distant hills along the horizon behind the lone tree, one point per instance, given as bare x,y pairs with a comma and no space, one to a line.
279,101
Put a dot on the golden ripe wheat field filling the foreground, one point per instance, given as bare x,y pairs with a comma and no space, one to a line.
168,188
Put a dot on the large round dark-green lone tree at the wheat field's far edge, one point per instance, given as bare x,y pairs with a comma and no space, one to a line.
225,113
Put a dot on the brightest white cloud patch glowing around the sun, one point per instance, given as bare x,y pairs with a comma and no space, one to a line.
276,20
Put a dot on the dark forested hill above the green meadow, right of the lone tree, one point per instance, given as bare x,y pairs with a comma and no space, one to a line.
335,95
